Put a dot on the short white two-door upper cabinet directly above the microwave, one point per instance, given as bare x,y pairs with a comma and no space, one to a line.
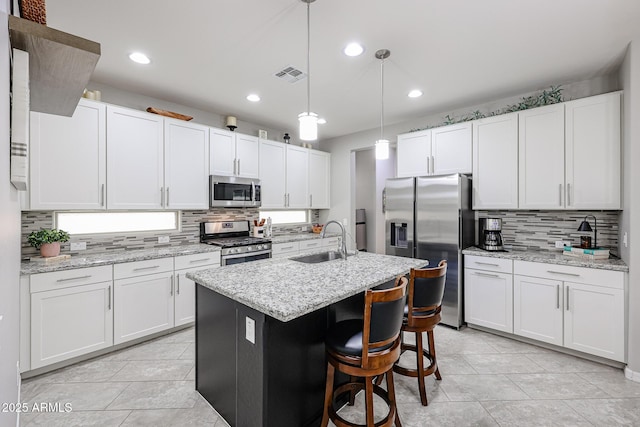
233,154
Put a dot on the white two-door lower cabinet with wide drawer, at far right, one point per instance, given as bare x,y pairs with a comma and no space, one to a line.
578,308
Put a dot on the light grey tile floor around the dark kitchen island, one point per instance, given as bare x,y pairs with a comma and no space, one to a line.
487,381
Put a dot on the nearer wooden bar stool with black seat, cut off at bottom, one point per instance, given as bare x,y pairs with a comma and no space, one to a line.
366,348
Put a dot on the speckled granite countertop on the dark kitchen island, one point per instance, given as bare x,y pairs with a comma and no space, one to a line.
285,289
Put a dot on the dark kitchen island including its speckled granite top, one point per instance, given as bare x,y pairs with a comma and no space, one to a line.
272,372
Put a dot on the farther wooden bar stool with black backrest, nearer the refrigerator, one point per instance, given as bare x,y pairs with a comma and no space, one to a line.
422,314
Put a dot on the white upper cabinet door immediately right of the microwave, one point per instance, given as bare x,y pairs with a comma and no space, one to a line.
272,174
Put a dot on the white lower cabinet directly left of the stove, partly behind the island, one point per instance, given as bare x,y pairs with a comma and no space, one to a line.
185,288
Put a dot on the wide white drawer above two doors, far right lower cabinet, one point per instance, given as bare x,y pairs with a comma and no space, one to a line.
593,276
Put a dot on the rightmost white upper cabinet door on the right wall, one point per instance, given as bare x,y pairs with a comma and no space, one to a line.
593,152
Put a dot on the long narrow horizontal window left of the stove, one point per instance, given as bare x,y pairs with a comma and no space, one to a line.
116,222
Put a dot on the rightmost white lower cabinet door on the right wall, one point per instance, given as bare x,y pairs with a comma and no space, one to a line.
594,320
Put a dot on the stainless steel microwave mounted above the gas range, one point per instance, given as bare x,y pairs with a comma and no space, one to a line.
233,192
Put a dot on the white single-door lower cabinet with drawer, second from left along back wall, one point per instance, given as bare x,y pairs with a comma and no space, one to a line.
143,298
